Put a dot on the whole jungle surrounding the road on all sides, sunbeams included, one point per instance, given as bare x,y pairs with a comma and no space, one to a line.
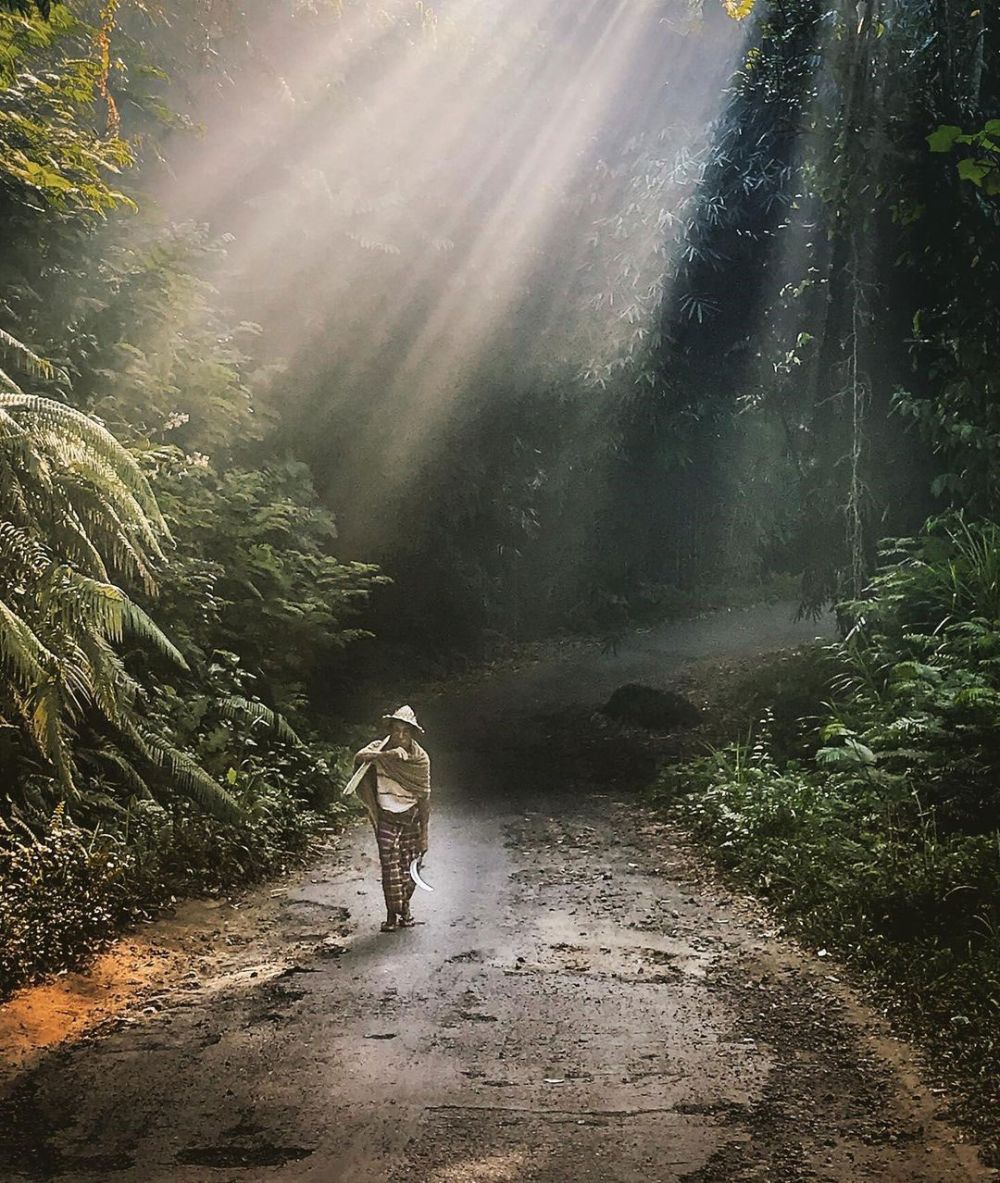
350,348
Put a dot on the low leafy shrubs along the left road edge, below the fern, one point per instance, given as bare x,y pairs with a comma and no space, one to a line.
72,881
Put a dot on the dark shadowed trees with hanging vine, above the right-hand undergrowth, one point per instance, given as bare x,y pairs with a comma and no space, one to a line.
836,197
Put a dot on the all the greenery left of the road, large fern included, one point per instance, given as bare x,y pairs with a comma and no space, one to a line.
170,599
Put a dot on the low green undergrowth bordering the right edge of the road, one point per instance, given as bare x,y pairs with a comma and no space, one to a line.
874,829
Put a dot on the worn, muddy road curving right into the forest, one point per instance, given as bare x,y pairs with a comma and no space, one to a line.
583,1001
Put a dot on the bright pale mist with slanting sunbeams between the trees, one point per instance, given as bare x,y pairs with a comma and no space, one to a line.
430,210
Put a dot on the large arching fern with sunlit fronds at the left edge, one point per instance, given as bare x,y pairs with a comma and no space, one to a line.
78,514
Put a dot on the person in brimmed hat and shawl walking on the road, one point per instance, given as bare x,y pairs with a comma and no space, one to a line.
397,793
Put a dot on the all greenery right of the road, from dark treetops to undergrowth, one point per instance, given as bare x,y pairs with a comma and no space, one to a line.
853,186
